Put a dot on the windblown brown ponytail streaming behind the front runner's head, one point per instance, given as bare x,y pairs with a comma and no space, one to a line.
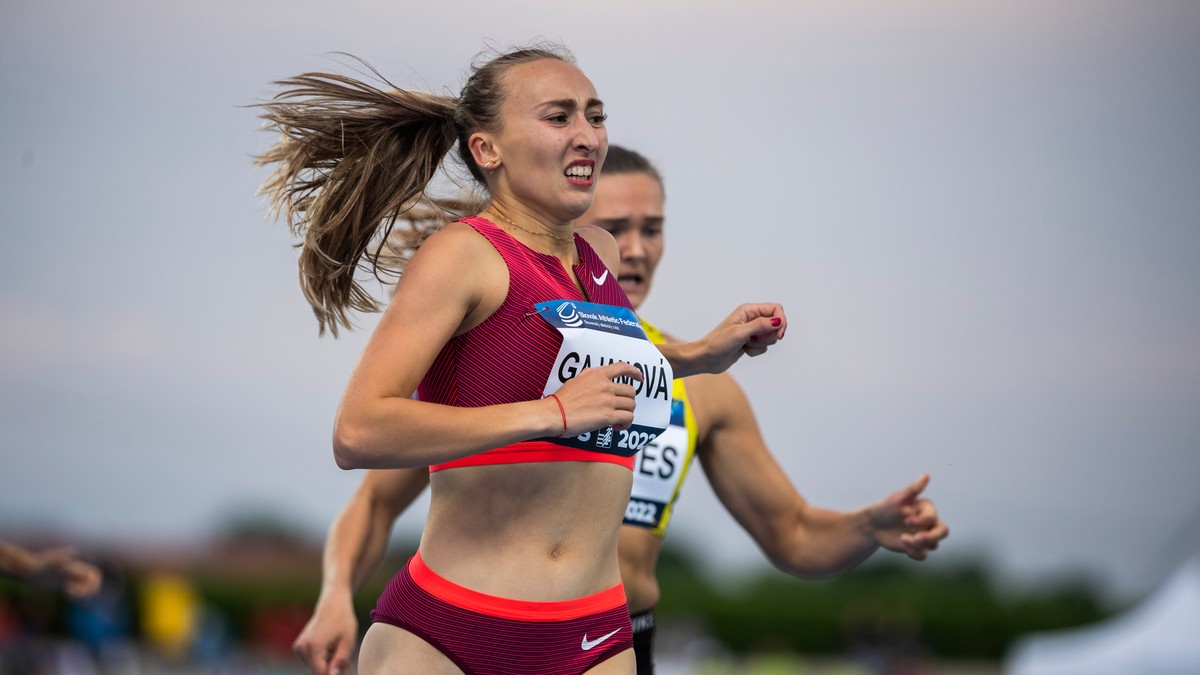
351,160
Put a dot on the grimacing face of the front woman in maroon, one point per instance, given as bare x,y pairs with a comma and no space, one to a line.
553,139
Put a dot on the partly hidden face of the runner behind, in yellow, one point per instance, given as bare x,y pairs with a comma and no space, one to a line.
629,206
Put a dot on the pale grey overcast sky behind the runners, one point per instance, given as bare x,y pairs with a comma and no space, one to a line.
983,220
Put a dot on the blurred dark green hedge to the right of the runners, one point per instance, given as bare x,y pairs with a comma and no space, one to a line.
946,612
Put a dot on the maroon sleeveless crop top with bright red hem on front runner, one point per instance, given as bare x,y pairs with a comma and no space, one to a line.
509,356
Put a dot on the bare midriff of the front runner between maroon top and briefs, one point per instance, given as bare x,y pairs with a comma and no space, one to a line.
537,531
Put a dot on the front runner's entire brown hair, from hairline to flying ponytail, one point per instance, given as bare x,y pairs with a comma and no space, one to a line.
356,157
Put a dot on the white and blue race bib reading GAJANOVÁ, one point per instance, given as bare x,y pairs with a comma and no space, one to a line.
596,336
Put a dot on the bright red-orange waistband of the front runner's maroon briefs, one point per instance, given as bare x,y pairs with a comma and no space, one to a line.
508,608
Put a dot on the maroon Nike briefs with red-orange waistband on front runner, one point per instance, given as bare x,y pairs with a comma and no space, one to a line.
491,636
